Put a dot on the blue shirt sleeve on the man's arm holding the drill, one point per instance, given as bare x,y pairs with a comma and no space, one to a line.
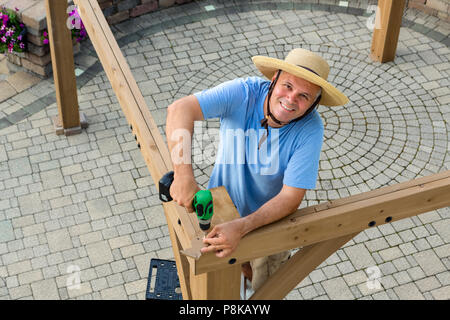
219,101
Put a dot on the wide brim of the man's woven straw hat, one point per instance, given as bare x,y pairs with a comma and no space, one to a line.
330,95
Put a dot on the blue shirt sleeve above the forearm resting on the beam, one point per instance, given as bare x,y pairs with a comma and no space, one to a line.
303,167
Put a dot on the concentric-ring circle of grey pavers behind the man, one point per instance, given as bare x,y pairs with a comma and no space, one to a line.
382,136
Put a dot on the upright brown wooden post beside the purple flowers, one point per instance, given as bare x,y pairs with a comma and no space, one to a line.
69,121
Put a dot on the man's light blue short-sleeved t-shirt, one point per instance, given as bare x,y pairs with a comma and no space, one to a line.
253,176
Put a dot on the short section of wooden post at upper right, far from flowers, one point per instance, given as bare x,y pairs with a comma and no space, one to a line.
385,35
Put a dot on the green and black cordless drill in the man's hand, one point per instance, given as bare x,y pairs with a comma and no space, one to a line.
202,203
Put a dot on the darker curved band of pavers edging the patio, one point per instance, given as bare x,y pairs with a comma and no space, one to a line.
93,70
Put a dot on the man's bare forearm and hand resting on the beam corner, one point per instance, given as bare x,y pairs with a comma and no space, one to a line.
225,237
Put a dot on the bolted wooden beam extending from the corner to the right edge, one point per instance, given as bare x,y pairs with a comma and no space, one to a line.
301,229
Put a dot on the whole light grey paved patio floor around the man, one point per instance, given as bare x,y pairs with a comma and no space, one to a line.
89,198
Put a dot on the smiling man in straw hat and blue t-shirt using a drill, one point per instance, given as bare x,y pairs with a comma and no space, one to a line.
266,177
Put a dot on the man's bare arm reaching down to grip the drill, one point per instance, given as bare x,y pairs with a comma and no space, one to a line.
181,115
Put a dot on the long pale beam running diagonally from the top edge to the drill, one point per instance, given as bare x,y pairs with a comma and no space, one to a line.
152,146
